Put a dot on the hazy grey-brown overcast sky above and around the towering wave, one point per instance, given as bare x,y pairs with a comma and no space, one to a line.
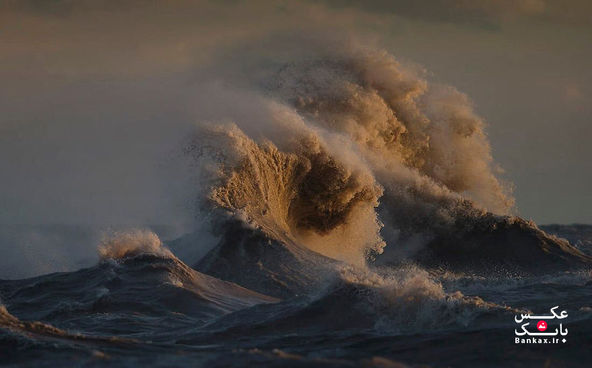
96,94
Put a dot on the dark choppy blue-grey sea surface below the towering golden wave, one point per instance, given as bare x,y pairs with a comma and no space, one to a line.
294,308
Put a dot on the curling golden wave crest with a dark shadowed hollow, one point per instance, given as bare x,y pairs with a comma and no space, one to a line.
303,197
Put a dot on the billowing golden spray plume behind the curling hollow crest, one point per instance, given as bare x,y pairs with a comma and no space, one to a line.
411,133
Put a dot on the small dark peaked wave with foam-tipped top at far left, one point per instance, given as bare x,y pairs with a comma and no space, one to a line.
144,283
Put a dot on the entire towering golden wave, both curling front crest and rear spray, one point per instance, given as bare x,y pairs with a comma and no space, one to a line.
352,151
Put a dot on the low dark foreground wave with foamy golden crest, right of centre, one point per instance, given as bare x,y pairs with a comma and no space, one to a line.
403,301
